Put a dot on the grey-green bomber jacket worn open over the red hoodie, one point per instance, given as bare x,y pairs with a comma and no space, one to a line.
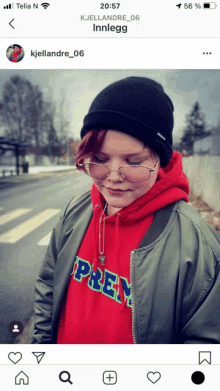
175,279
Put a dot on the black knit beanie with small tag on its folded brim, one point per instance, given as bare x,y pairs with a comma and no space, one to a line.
139,107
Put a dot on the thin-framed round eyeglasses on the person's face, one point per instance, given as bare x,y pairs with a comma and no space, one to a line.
131,172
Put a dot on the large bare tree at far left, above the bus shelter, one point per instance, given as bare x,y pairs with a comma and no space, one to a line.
29,118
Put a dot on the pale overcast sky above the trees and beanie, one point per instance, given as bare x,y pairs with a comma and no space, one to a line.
79,87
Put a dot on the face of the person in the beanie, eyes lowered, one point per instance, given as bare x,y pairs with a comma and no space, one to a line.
118,150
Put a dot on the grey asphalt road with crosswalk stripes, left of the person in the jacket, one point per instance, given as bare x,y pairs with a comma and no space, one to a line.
28,213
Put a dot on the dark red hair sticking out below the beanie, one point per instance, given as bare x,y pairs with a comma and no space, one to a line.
89,146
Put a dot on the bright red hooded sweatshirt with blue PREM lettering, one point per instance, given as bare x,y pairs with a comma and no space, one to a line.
98,303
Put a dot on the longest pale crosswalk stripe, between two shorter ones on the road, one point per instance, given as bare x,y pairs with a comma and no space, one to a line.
28,226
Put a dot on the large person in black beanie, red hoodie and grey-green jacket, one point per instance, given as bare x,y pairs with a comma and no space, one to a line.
130,261
